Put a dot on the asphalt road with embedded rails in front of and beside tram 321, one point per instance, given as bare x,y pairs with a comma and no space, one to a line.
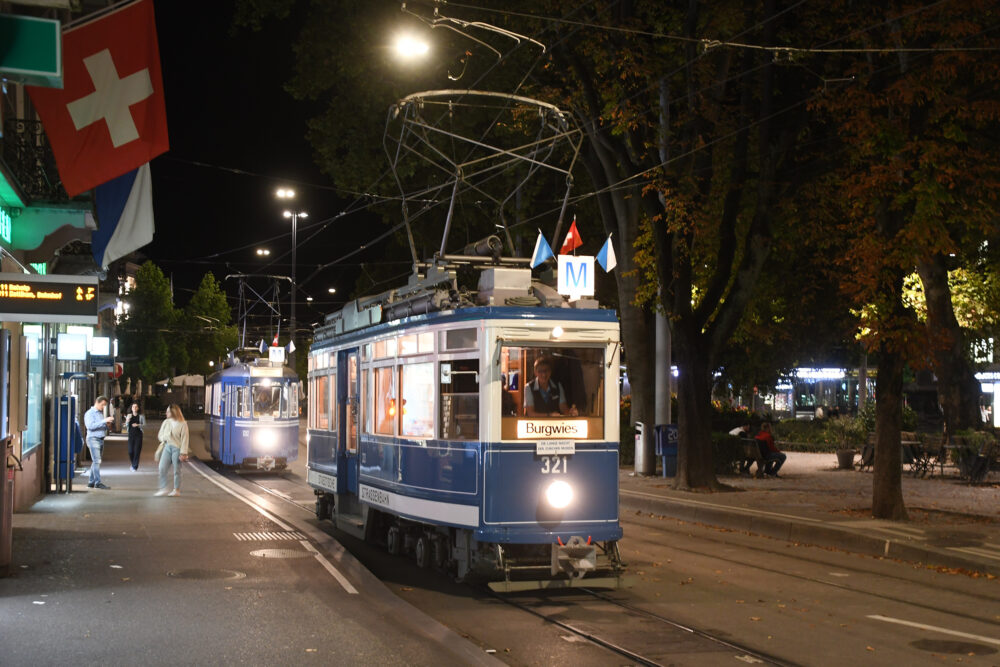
703,596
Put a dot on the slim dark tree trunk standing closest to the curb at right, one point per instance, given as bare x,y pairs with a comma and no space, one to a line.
887,485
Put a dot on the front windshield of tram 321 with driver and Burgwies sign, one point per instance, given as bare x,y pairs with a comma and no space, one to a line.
561,385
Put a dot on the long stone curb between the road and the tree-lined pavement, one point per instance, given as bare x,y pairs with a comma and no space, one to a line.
799,530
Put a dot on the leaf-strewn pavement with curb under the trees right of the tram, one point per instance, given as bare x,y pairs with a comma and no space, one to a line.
952,524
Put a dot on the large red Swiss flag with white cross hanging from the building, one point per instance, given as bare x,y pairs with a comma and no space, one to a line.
110,116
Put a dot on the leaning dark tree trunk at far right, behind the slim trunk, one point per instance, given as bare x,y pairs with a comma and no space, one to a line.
958,388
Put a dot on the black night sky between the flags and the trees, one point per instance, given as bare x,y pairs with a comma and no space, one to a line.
235,137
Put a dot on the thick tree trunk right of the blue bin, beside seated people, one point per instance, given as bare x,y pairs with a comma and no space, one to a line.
695,458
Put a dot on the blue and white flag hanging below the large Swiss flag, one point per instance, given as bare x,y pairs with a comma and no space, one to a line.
124,216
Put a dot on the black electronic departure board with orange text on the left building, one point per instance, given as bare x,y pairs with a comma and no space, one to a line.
53,298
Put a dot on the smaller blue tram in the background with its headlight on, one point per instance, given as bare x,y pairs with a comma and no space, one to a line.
252,412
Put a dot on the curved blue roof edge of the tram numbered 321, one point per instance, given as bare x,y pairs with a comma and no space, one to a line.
473,314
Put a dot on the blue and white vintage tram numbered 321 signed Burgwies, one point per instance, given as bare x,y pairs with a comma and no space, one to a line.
424,433
